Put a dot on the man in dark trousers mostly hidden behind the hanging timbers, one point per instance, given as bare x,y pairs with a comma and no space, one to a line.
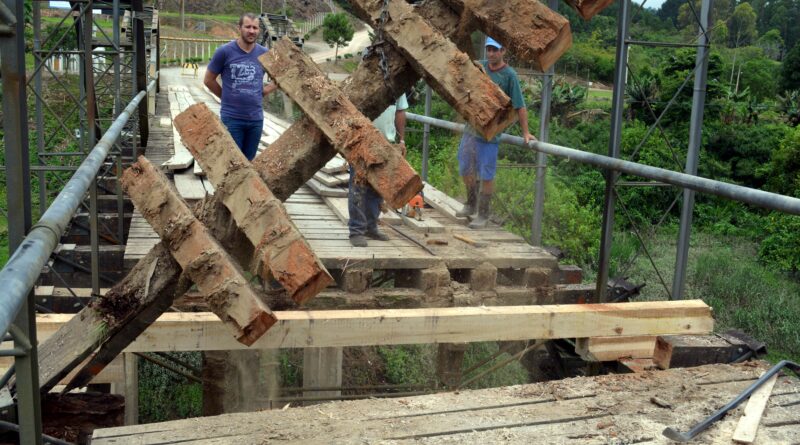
363,202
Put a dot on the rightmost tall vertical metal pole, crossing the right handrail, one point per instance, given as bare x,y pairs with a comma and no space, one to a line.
695,139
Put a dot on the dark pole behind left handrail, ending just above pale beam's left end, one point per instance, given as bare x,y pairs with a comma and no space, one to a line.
88,76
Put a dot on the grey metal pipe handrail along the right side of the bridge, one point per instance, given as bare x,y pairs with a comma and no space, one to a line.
739,193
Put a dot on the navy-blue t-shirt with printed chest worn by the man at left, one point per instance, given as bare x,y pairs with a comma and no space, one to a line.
242,81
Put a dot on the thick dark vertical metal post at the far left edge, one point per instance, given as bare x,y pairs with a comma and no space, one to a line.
15,124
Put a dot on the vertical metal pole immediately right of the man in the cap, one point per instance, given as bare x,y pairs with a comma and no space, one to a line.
541,158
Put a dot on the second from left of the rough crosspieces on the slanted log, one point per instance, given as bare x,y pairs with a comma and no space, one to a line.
281,251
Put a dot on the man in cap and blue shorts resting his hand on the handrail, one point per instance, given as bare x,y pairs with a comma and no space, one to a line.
477,157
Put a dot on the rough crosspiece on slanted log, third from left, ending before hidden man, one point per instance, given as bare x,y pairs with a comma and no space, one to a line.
374,159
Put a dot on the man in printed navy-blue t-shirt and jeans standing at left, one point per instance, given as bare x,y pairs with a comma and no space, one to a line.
242,90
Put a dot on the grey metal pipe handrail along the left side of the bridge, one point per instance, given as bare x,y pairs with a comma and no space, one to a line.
23,268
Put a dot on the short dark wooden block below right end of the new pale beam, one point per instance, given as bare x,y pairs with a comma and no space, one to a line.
683,351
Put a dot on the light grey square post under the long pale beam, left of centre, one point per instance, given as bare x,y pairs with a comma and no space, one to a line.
322,367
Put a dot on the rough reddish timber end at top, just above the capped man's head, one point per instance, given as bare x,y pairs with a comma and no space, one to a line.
531,30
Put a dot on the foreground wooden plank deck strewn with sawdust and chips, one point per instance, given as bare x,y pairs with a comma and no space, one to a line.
610,409
